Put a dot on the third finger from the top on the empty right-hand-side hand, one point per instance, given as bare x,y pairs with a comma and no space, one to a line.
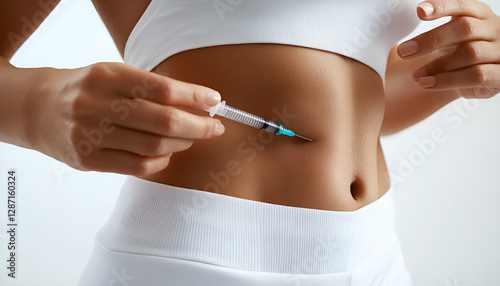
468,54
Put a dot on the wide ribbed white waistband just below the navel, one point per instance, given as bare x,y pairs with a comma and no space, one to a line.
161,220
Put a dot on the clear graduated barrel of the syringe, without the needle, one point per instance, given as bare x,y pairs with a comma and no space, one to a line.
248,119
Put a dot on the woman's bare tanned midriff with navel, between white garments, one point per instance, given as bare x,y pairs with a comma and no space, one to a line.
334,100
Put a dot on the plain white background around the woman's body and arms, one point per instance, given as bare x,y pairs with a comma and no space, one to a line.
447,192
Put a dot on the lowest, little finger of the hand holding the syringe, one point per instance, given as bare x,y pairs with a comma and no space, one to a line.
123,162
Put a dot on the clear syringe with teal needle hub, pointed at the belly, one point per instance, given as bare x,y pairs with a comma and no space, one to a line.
241,116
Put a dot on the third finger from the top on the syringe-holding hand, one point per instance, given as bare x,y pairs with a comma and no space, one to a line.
143,143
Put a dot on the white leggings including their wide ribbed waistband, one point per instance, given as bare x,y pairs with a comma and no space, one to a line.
170,236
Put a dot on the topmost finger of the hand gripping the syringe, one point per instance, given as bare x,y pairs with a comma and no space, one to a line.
167,91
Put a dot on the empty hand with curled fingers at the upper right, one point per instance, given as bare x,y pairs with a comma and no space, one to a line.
468,46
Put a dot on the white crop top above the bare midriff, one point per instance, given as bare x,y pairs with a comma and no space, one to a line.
364,30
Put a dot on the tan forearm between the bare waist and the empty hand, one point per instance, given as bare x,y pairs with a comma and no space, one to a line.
406,102
